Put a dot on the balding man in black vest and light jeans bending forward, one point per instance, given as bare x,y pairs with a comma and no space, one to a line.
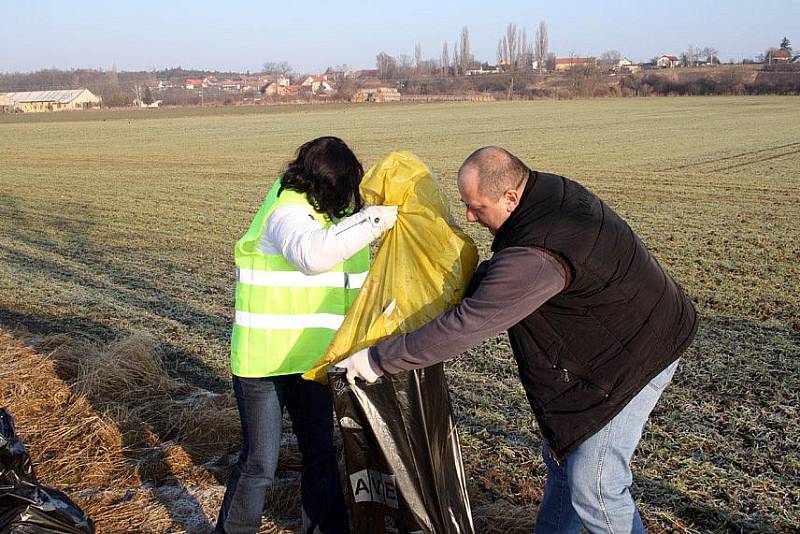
596,326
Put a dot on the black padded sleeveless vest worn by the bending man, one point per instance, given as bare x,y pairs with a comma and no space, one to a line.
622,319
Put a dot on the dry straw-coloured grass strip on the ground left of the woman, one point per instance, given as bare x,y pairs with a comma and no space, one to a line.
138,450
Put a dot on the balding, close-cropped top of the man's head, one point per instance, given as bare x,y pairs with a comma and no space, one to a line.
497,170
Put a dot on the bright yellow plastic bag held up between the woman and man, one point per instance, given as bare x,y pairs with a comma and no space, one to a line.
422,267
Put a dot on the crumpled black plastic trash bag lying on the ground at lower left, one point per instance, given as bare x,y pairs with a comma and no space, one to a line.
25,506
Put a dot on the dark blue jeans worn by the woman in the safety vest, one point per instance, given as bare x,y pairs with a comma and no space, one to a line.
261,402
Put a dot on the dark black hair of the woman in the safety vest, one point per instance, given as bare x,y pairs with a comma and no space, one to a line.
328,173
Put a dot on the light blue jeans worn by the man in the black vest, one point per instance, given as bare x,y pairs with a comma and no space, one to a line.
589,486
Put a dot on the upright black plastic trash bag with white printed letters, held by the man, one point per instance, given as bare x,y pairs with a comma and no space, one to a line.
404,468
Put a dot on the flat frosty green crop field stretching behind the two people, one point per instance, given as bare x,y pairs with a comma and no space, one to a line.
115,223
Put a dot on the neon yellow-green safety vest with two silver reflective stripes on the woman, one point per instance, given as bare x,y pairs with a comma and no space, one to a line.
285,319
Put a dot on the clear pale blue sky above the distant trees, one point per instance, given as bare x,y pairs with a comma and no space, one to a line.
312,34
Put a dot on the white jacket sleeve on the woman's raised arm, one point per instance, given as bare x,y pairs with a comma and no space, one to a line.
293,232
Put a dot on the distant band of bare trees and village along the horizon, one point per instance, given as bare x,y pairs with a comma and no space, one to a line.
524,68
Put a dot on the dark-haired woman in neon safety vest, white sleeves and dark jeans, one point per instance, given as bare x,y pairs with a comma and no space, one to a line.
299,268
